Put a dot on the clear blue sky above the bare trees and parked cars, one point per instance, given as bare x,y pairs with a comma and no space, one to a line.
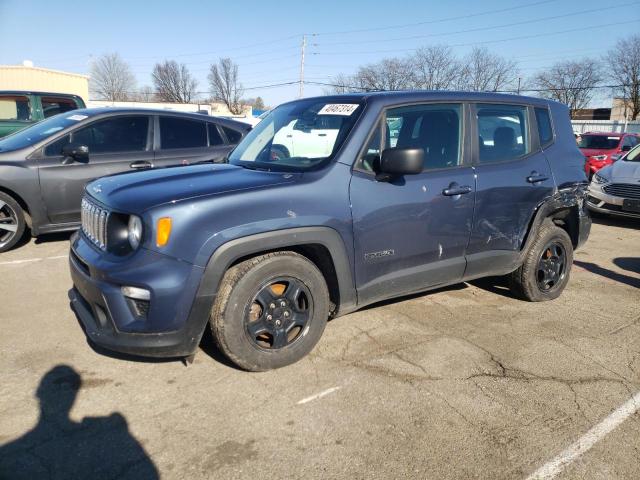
264,37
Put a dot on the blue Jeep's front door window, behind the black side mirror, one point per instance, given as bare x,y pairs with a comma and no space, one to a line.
434,128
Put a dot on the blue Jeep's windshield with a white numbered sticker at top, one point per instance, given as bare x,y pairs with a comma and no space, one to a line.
297,136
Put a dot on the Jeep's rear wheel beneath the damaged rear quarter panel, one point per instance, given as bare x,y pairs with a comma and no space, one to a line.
547,265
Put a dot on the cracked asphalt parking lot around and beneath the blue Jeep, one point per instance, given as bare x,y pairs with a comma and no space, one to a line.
465,382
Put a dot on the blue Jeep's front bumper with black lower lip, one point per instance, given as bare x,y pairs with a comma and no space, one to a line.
176,316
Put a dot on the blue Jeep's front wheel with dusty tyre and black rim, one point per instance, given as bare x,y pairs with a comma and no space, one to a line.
270,311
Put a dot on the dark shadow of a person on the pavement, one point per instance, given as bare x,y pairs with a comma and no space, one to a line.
60,448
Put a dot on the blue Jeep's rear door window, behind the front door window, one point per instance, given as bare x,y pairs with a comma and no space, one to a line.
503,132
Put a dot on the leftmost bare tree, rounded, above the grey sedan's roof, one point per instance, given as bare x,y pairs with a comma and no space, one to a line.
111,78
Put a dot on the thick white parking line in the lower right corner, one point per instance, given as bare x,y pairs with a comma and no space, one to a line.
588,440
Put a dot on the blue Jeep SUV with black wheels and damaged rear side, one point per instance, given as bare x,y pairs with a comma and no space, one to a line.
327,205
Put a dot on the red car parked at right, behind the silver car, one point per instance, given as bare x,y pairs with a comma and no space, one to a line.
604,148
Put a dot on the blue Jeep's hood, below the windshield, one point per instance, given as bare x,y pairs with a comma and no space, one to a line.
138,191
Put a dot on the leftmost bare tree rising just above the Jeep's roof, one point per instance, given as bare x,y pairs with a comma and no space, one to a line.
389,74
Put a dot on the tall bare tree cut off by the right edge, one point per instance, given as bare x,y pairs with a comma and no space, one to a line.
623,61
